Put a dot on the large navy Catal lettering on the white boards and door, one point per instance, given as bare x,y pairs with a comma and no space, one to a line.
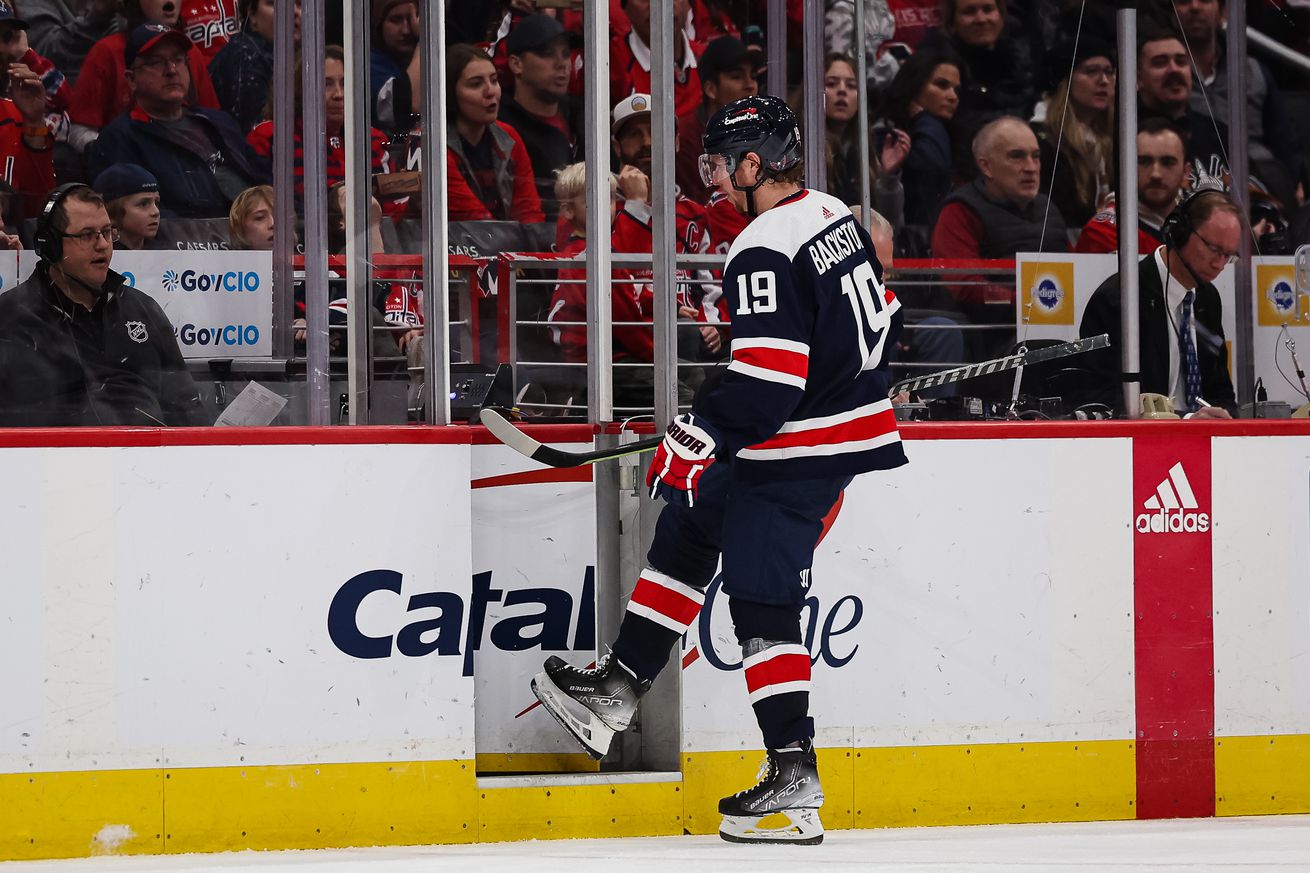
377,615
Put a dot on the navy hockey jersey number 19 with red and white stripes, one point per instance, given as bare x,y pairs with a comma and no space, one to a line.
805,395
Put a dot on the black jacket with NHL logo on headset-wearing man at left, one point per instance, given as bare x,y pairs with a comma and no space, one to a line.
119,364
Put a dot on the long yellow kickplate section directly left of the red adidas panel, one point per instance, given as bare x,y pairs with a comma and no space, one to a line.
990,785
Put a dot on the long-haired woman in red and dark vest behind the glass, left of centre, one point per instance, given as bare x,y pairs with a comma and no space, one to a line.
489,174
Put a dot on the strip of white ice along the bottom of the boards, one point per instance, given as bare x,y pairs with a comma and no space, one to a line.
1253,845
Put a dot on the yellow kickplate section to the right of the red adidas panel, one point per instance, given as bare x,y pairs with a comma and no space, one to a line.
1262,775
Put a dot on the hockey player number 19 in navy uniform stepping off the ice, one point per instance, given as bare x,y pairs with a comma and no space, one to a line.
750,475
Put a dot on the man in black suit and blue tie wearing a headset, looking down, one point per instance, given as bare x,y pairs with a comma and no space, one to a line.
1184,351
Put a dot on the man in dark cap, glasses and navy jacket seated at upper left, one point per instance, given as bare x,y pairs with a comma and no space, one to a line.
200,157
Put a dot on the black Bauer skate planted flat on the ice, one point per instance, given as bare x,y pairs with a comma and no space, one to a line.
789,785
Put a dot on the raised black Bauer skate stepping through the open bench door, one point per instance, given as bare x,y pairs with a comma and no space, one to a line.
593,705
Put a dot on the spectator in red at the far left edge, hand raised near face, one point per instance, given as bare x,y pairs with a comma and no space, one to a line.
27,145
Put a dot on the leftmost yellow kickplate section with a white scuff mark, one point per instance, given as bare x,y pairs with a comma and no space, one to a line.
75,815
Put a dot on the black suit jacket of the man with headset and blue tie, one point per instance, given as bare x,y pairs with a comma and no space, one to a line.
1102,317
